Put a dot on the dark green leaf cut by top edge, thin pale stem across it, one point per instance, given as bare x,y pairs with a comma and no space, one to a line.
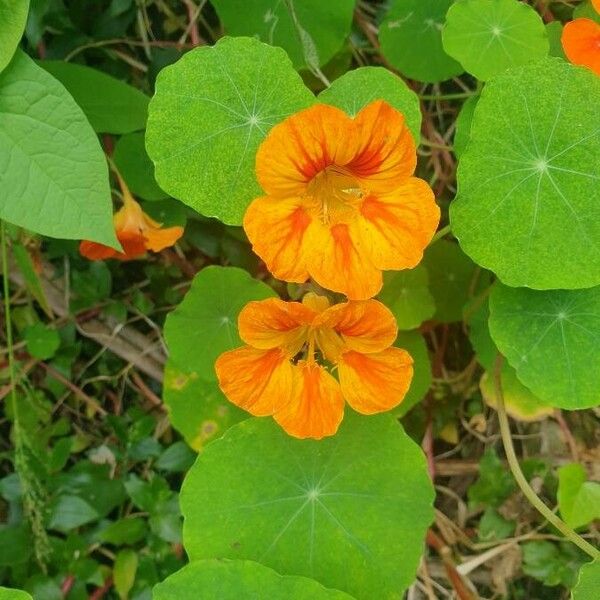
320,30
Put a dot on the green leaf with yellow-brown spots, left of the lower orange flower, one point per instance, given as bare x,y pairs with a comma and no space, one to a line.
197,408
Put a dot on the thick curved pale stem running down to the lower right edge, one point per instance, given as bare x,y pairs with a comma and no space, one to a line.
513,463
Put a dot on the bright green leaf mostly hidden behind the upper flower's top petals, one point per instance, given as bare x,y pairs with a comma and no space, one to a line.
359,87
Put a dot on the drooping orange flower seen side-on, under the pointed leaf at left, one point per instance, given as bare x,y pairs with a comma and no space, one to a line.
136,232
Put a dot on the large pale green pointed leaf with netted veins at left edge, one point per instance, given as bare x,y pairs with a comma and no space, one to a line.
52,168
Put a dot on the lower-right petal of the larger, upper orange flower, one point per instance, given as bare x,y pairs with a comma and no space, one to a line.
393,229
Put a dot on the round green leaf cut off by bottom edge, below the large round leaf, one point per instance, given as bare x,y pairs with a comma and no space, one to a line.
239,579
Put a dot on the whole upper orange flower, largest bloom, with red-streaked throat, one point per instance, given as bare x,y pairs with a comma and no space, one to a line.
341,201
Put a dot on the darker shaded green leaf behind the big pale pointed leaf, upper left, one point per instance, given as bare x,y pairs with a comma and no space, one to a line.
111,105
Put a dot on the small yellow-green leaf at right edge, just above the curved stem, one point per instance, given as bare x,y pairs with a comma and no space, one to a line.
578,499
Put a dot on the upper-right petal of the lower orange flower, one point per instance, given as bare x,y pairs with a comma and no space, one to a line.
366,326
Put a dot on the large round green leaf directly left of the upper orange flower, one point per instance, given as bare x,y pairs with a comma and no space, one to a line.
211,110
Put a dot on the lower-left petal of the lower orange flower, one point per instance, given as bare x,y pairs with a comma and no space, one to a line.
259,381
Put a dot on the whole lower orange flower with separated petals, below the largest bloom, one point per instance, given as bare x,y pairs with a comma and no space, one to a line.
277,373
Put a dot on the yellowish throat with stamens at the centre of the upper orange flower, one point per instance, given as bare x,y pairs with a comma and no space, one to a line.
335,195
